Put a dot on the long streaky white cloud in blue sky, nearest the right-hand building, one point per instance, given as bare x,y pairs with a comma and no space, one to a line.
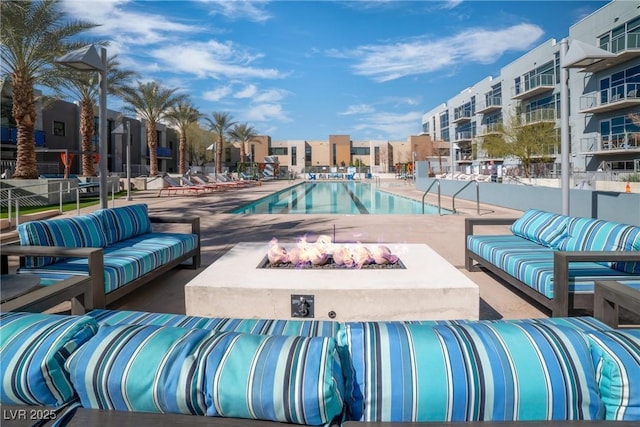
385,62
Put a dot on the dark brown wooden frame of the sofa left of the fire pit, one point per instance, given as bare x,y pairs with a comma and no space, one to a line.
95,258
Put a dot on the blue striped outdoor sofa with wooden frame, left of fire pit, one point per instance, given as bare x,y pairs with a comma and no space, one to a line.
116,247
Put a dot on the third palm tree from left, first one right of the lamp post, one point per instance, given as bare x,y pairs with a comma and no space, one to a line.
151,102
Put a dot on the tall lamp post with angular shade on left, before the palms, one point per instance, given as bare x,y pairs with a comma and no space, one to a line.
94,58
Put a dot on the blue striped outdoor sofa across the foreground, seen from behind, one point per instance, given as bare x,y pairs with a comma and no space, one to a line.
107,366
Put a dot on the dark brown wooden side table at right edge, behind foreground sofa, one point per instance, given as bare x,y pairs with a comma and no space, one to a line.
608,296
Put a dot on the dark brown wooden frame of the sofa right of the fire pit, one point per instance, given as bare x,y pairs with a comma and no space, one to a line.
563,300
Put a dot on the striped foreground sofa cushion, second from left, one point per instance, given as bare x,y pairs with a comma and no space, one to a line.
144,368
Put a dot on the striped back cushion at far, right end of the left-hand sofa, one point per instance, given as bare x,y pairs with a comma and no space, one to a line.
124,222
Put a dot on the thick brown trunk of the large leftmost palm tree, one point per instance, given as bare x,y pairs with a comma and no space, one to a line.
24,113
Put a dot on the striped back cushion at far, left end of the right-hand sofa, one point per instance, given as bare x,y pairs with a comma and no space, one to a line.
542,227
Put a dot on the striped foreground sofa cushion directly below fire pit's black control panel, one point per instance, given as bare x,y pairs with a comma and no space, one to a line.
276,378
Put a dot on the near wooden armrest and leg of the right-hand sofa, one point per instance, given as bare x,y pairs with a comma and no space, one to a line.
561,261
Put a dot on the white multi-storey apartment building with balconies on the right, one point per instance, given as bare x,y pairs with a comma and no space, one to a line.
604,91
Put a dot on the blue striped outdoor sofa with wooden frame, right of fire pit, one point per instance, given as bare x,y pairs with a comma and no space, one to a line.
555,259
